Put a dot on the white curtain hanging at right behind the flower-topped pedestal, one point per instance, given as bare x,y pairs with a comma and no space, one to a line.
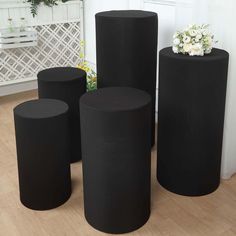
220,14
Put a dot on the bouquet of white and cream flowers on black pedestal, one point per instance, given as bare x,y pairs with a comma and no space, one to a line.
195,40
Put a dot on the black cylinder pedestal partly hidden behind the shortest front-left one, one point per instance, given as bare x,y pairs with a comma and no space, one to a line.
67,84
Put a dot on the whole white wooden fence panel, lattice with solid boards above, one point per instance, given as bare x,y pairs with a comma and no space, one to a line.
60,31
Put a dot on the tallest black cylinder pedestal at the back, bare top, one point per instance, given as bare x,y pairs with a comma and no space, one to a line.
127,52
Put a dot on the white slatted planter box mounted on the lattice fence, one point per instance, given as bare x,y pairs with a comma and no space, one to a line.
18,38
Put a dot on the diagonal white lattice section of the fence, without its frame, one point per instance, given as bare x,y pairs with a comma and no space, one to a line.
58,45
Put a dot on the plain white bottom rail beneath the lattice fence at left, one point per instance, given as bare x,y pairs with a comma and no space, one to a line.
17,87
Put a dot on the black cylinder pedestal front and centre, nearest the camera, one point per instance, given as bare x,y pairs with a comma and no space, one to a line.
116,152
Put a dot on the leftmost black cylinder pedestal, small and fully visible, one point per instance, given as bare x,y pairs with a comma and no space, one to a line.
42,139
